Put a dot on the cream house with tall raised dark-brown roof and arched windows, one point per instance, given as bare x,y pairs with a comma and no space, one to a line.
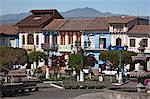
30,28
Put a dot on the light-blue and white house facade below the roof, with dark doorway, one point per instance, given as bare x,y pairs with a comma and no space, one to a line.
96,42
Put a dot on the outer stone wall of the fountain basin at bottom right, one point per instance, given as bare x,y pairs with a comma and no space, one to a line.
112,94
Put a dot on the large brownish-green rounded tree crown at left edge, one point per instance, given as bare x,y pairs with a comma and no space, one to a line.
12,56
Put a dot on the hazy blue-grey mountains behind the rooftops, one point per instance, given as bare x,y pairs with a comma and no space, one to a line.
74,13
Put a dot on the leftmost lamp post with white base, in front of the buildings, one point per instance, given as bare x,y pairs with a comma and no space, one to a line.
48,48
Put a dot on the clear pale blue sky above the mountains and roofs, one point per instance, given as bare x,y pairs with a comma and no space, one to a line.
115,6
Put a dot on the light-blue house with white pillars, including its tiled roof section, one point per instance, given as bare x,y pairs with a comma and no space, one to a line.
97,37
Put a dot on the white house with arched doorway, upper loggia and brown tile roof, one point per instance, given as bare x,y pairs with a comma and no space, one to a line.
119,27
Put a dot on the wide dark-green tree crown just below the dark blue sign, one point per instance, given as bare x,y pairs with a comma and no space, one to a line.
113,57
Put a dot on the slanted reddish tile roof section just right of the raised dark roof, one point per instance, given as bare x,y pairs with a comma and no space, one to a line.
55,25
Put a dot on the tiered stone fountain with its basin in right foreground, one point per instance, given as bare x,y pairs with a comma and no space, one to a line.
133,89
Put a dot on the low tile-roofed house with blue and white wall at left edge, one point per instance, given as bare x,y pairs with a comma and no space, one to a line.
8,35
